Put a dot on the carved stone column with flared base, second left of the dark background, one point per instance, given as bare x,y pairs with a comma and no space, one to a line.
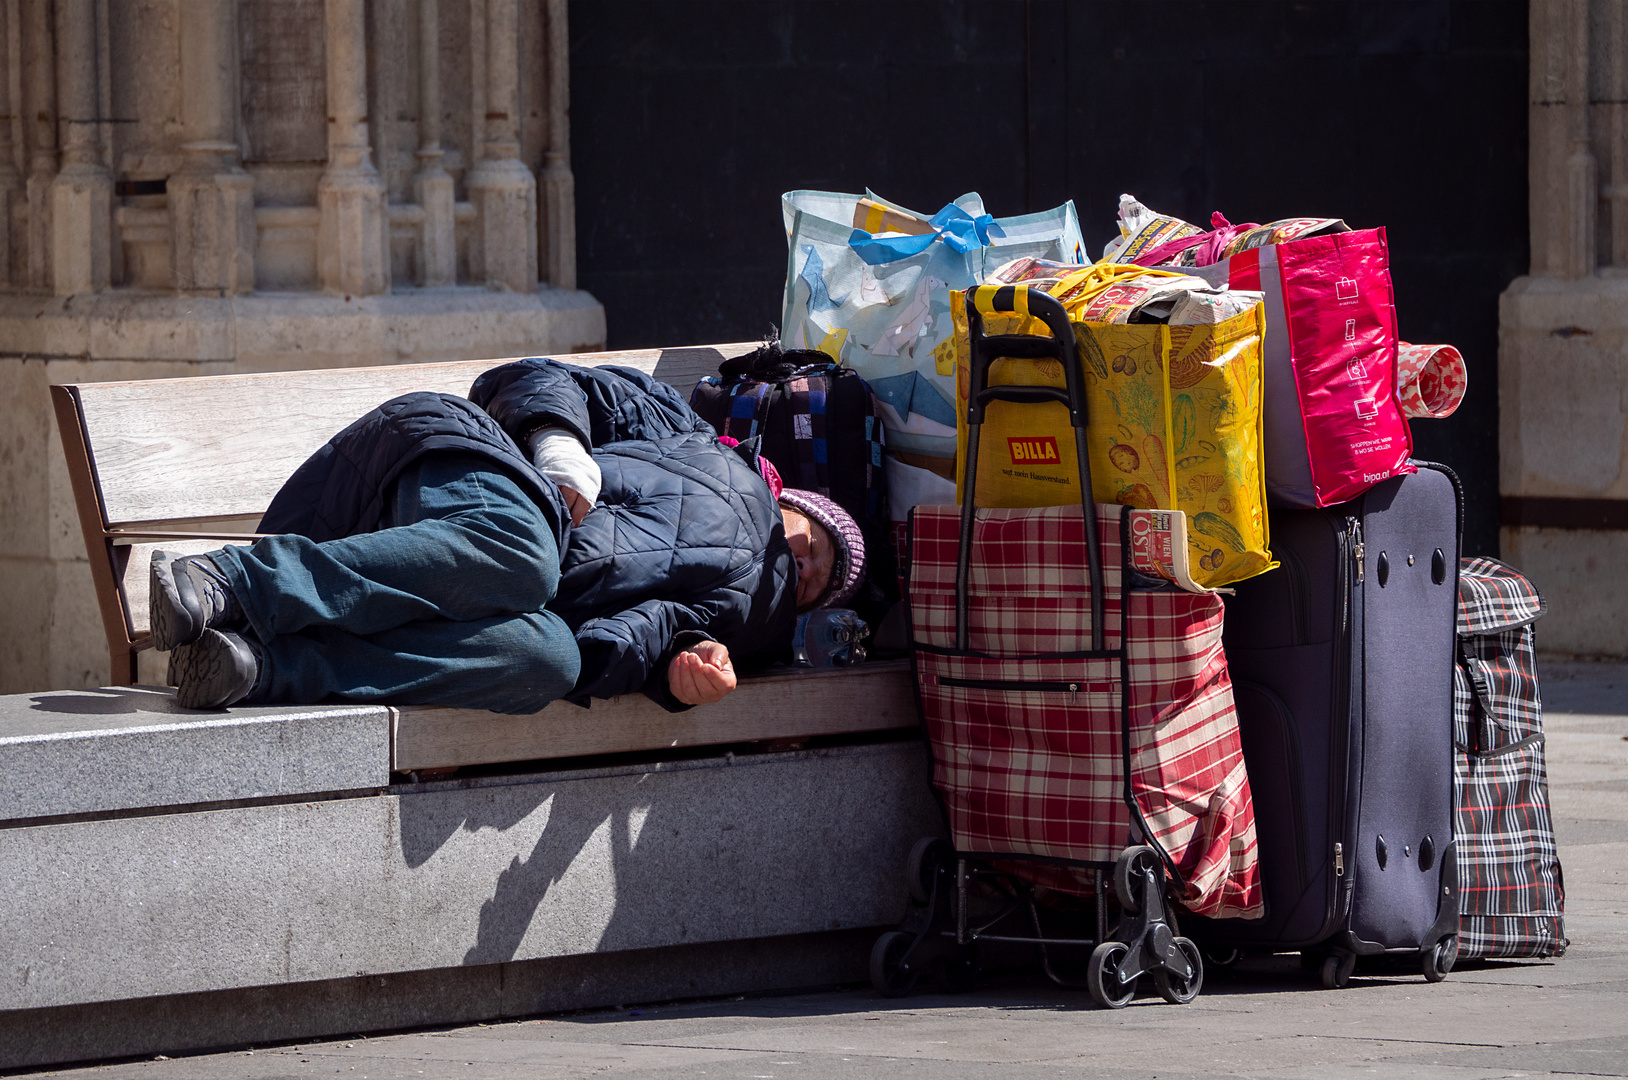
505,193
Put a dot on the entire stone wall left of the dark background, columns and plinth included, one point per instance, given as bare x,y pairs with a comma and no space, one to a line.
211,187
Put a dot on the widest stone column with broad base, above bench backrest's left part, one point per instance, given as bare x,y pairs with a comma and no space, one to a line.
211,196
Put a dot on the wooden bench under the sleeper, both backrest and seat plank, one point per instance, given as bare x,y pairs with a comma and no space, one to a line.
193,463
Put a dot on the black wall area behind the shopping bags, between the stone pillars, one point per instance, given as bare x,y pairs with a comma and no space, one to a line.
691,120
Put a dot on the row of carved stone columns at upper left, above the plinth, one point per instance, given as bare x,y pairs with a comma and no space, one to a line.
177,133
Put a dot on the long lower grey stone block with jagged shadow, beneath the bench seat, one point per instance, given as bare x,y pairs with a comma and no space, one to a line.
460,874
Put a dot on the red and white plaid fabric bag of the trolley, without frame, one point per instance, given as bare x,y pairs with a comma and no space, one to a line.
1028,726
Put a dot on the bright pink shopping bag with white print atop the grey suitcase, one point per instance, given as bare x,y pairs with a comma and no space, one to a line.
1334,426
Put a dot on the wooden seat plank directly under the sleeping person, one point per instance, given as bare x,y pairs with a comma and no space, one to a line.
792,705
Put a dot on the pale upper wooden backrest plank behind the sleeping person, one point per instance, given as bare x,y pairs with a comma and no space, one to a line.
221,447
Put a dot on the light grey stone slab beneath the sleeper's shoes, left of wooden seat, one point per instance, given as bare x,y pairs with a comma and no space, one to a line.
131,749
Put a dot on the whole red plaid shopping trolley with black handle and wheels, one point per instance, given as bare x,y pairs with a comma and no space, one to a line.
1080,721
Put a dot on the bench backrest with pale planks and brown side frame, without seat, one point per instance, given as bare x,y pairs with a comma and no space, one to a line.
193,462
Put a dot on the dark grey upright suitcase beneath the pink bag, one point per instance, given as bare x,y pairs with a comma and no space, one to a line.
1344,674
